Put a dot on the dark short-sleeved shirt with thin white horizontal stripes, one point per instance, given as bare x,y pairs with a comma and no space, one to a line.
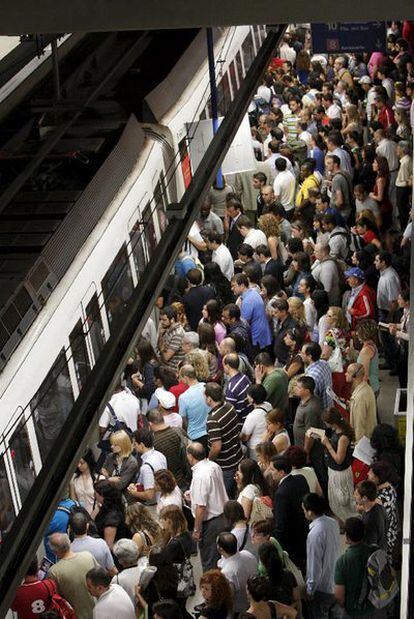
222,425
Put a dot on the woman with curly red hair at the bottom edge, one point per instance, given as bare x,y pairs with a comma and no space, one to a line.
217,595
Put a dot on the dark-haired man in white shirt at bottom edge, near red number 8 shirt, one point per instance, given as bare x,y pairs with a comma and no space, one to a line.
112,600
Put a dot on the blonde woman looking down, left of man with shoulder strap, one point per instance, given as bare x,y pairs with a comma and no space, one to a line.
120,466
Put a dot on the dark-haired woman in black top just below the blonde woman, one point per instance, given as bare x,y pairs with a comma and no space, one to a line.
110,519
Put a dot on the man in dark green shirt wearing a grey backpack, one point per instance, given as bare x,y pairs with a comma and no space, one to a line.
350,571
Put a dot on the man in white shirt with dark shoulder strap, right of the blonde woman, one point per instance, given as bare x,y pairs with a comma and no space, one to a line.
151,462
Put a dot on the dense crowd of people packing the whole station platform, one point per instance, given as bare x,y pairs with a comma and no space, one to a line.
232,431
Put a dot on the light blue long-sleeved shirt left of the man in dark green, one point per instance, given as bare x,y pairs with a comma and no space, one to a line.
323,547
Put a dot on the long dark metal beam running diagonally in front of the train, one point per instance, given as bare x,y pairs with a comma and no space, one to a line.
21,543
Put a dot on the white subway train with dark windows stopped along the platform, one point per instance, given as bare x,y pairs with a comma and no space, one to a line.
149,167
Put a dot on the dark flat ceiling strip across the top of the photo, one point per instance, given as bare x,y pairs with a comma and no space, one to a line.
28,17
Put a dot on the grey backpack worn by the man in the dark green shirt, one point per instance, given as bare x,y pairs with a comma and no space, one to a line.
380,586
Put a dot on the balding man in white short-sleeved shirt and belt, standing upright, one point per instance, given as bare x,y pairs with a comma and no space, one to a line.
207,495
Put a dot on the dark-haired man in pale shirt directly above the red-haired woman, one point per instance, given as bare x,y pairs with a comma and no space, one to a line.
237,567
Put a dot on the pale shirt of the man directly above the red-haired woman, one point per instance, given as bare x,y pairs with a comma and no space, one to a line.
238,569
